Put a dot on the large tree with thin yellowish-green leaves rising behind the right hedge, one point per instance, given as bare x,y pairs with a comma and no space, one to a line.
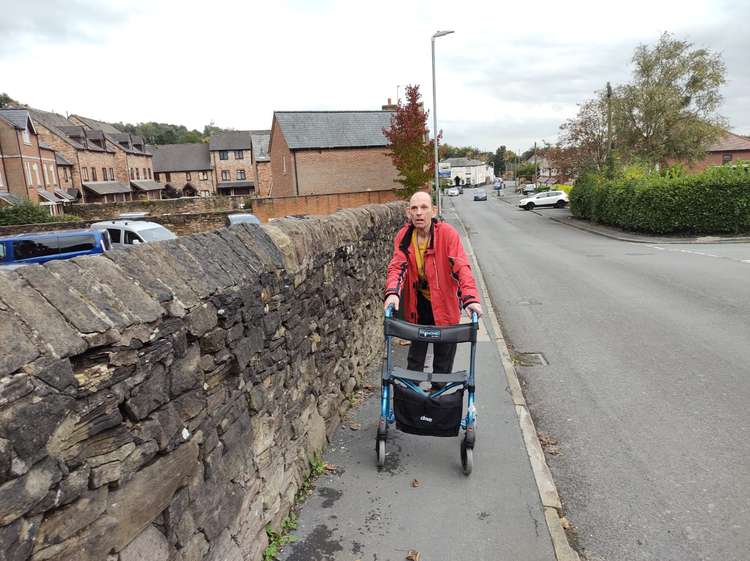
668,112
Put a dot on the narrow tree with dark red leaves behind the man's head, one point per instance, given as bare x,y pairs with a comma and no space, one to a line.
411,152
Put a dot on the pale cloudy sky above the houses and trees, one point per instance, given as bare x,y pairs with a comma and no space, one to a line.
509,75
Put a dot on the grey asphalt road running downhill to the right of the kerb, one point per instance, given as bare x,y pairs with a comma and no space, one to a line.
647,381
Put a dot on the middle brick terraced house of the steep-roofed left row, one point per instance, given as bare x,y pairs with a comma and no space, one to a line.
91,156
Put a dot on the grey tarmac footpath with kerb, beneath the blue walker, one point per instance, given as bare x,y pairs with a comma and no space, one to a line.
421,506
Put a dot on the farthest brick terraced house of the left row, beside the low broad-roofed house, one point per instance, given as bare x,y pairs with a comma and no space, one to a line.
133,162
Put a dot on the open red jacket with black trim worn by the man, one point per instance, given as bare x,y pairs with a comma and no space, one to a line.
447,270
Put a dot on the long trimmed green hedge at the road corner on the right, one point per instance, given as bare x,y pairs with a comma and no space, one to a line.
716,201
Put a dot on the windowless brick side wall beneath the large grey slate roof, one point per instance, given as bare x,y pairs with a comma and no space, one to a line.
344,170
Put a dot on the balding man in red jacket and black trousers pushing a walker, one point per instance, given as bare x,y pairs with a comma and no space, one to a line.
430,276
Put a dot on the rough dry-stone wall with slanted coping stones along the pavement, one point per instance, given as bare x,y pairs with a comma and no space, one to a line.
165,406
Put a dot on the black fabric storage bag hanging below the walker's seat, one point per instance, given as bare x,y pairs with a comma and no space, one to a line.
428,416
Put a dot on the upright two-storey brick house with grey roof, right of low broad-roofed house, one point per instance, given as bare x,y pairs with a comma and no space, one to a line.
232,161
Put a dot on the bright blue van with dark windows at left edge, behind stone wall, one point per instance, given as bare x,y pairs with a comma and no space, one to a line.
40,247
